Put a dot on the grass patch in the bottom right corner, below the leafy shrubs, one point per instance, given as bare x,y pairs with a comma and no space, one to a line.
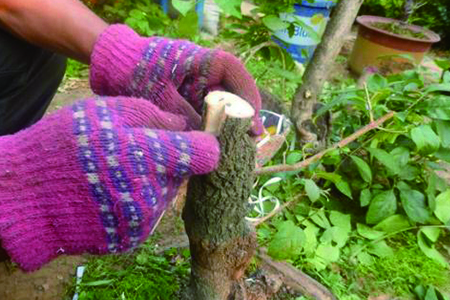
396,275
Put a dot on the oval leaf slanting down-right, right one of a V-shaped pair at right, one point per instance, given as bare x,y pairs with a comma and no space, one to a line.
414,204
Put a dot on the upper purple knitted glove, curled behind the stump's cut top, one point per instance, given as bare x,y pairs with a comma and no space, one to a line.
167,72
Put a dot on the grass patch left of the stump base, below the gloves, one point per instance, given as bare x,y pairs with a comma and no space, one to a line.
142,275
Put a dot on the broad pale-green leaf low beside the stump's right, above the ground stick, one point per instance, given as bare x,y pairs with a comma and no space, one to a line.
287,242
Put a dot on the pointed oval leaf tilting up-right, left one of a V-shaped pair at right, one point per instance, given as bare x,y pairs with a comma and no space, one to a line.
382,206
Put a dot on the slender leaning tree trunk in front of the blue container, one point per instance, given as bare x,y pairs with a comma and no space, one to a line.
316,72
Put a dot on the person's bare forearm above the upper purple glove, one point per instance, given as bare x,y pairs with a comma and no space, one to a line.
65,26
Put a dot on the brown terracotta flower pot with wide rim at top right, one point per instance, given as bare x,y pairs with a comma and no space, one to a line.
384,49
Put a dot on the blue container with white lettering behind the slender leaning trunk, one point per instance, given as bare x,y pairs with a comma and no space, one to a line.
301,45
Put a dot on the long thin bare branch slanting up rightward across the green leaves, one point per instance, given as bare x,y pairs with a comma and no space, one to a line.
312,159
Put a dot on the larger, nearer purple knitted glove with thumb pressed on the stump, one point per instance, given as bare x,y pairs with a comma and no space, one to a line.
92,178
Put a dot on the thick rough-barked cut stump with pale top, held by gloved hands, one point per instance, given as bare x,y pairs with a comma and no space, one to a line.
220,240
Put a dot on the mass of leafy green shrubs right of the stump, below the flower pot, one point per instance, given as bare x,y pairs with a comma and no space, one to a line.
357,198
